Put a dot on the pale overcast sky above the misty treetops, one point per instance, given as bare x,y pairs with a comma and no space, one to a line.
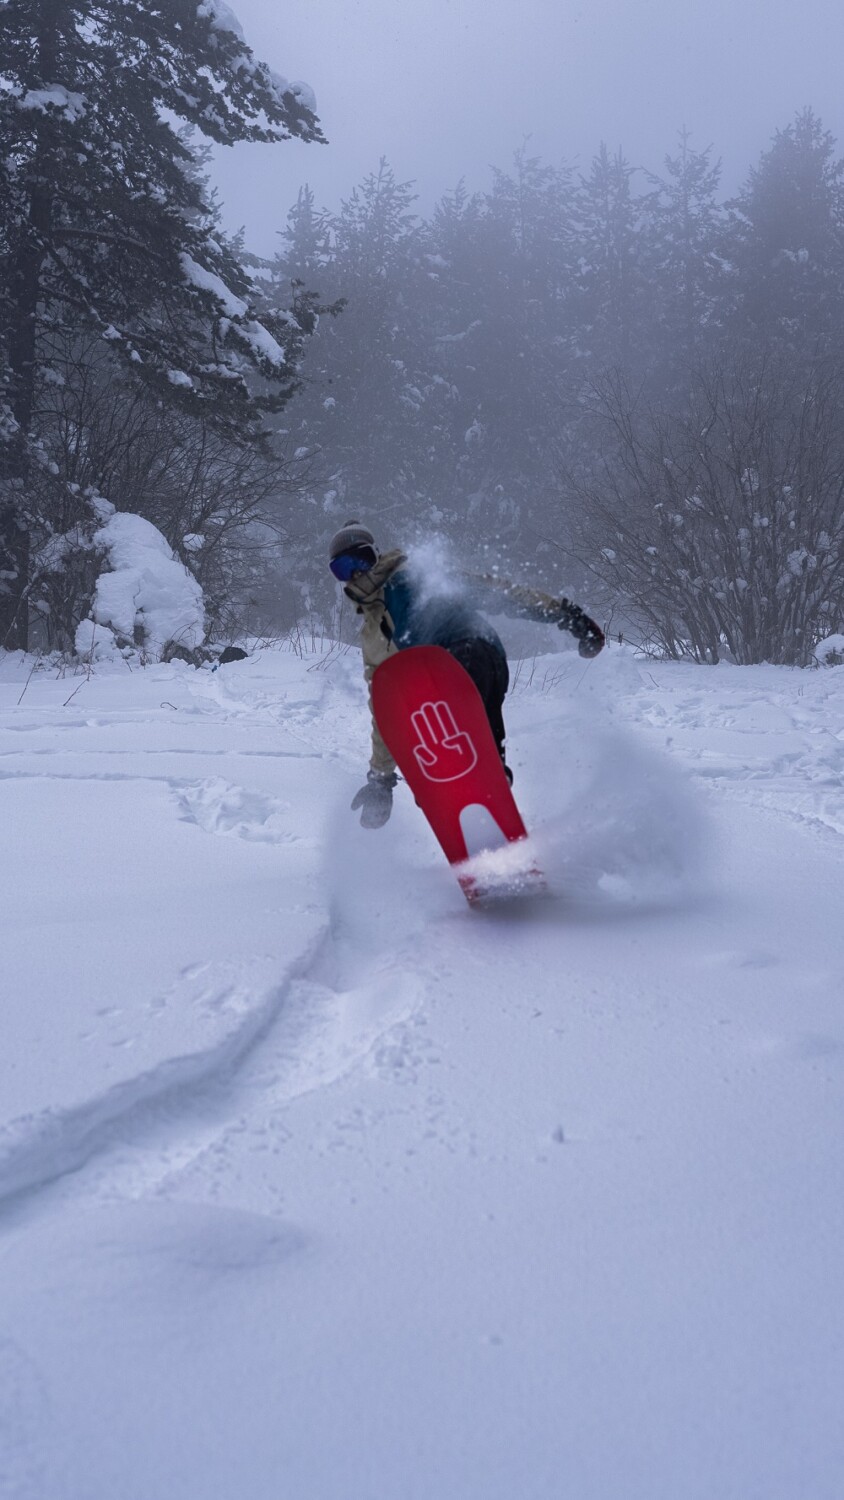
446,89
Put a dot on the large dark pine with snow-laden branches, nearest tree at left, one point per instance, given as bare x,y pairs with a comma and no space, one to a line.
107,229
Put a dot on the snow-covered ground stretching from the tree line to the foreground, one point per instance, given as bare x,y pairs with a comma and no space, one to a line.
317,1184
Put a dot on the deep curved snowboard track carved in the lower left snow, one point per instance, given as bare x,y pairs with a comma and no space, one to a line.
305,1036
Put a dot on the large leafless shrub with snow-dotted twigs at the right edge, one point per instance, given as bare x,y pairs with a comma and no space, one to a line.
723,527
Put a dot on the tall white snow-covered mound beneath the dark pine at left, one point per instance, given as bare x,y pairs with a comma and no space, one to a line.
148,598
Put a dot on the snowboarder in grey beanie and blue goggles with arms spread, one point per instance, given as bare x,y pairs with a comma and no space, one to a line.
407,610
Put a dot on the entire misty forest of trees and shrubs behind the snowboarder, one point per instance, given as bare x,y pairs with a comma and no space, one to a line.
602,379
